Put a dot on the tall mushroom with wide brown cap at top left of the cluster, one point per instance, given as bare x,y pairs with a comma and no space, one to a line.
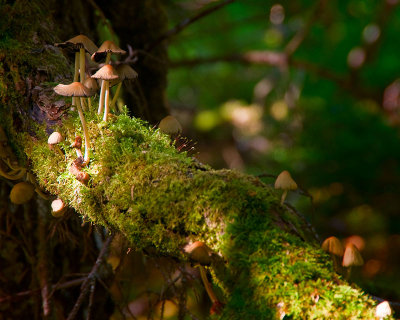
79,44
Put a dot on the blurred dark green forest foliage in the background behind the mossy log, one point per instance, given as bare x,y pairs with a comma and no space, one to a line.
330,117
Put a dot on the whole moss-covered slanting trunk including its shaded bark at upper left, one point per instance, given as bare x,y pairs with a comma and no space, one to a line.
266,261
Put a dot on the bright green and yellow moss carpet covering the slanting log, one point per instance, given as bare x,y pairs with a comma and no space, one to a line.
157,197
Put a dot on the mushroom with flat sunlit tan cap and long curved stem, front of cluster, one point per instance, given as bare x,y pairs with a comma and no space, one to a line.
77,89
